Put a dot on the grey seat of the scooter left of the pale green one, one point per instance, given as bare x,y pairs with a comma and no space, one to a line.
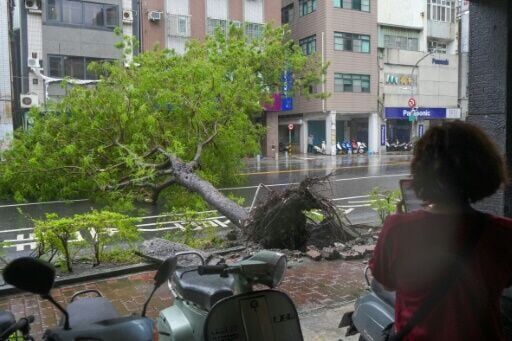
88,310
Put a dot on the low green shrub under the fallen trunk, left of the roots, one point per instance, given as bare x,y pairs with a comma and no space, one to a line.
195,232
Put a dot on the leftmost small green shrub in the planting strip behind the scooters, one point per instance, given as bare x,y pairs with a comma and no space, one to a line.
55,234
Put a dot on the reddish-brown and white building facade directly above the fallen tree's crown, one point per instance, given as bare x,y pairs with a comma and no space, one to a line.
170,23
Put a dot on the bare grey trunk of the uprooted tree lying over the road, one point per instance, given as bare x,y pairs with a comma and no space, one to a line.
230,209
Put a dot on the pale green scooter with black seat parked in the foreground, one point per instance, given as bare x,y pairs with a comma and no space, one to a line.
217,302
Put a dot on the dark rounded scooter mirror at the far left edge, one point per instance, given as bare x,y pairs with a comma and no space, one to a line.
29,274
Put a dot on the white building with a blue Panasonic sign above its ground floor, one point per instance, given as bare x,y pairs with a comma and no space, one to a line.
418,62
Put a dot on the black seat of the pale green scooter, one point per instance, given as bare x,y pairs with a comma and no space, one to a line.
205,290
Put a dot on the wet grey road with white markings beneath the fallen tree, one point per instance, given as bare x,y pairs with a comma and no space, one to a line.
352,178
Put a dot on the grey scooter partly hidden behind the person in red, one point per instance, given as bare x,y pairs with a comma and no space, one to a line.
373,312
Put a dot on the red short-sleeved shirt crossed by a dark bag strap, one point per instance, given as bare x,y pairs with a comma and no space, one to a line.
411,257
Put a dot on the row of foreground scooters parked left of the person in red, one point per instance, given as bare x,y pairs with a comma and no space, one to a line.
211,302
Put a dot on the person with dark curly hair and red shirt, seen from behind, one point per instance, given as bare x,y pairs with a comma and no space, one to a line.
448,254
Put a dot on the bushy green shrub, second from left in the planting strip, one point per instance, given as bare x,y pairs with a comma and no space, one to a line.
106,228
